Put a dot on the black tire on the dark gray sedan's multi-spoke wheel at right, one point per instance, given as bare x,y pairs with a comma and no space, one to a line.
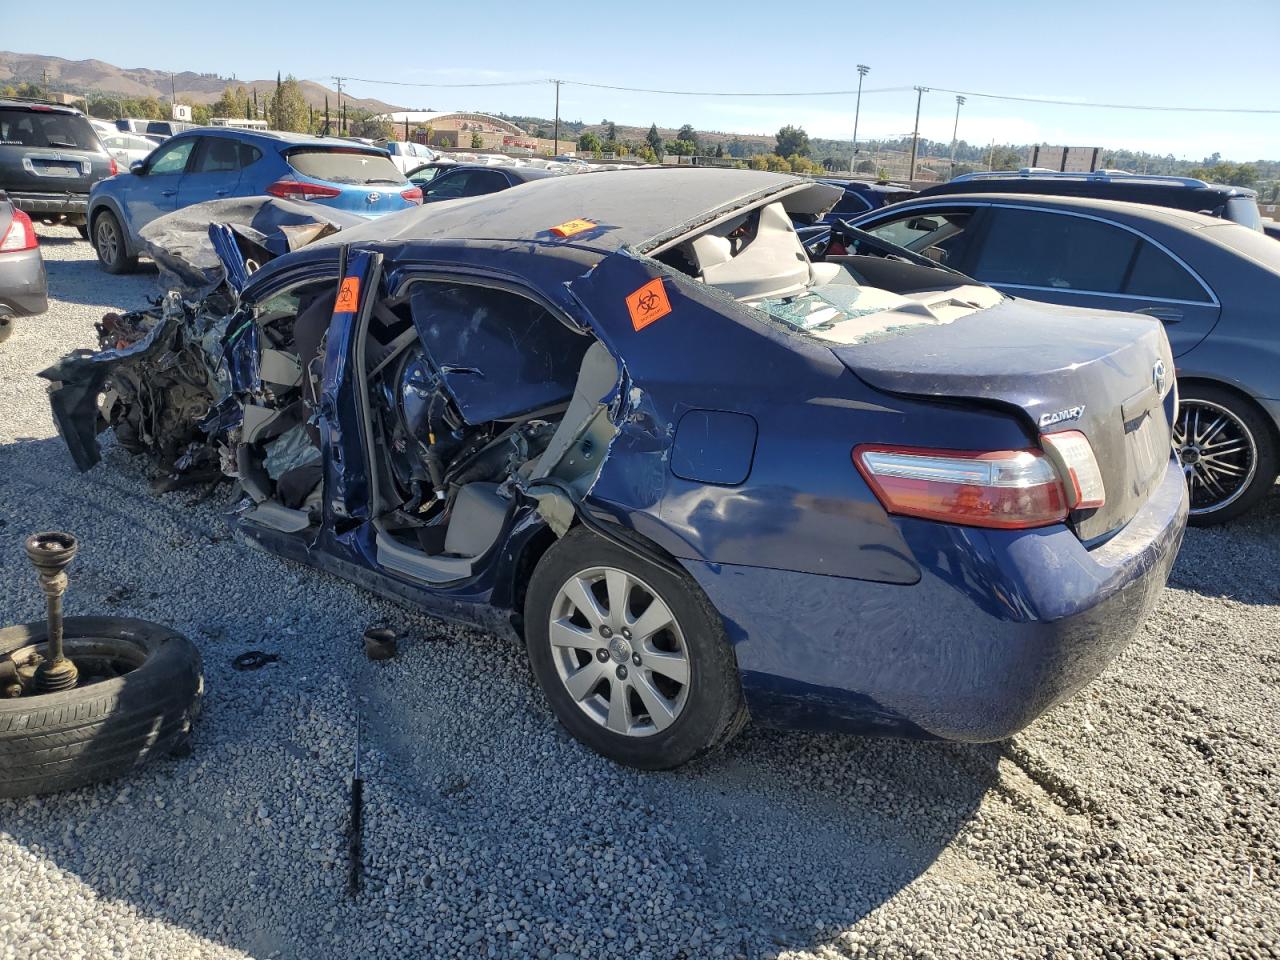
1256,464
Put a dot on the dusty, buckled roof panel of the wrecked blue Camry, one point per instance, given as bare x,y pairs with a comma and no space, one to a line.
621,204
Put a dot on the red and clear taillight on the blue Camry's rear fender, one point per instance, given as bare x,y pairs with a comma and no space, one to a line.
1003,490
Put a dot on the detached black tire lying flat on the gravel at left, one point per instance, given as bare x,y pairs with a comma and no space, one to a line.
99,730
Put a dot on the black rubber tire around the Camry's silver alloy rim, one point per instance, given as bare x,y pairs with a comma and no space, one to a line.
712,710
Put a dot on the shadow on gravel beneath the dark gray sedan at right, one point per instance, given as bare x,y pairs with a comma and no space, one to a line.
1235,561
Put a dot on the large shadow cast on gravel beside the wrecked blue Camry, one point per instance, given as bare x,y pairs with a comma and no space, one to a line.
488,831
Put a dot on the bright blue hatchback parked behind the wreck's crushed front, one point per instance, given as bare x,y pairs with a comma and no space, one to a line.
213,163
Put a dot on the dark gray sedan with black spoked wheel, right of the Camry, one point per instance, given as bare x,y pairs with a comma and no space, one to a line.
1212,282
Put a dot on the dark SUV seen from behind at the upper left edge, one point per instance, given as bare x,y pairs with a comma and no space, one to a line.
51,158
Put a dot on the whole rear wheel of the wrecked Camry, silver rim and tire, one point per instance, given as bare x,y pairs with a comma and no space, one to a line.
632,655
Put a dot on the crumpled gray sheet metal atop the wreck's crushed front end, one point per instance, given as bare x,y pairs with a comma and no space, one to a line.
263,228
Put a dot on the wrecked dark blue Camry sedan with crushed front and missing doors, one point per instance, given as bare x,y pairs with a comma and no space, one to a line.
703,478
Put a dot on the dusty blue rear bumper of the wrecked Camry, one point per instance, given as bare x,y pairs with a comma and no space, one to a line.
1002,627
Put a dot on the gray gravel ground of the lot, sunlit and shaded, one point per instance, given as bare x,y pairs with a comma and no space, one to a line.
1141,820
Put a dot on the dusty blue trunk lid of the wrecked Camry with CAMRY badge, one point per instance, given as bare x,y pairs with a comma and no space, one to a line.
1100,373
